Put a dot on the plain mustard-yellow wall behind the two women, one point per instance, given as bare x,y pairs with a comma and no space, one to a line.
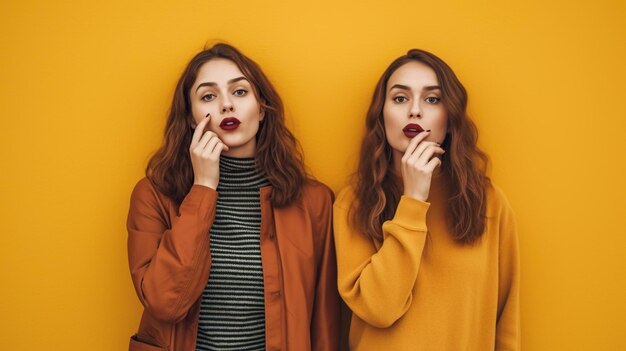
85,87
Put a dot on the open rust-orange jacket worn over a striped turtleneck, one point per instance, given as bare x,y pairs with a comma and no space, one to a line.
170,261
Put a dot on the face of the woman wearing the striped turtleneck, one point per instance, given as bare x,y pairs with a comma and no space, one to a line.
222,91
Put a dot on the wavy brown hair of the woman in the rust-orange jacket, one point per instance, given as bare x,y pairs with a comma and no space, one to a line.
278,155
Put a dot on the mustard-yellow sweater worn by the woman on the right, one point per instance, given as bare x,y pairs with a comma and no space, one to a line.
419,289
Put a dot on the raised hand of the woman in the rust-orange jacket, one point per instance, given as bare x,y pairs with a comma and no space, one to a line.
205,150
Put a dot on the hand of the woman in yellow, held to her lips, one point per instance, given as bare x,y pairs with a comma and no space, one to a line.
418,164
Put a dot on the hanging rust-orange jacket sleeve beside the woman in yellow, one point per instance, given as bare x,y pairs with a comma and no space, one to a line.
326,310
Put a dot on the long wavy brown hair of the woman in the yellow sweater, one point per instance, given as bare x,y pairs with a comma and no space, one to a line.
377,186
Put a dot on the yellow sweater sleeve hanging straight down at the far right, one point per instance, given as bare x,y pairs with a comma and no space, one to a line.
508,319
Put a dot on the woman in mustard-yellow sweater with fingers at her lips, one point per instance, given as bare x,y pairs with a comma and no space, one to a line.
427,248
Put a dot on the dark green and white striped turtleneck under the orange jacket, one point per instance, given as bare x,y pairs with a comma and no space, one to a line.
232,310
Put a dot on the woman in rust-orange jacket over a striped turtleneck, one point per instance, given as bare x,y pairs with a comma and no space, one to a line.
229,241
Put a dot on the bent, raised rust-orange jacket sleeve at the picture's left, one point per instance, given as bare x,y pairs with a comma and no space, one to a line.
169,265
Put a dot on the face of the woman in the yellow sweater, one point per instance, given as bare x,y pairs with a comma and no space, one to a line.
412,104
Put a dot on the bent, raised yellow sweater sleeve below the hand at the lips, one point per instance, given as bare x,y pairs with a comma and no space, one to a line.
377,284
